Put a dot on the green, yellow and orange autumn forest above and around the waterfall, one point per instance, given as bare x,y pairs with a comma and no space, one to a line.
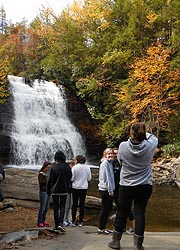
120,57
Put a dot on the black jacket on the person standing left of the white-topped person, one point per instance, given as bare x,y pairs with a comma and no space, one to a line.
59,178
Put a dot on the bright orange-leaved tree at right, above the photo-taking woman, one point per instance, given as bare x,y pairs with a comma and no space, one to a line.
153,94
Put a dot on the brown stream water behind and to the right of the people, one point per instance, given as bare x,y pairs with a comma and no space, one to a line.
162,212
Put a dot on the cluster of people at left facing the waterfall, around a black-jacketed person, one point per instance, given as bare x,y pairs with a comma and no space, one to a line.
67,183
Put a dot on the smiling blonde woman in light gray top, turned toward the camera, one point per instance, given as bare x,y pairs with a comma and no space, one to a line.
106,188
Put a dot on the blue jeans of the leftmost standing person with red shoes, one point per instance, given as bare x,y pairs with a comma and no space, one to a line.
44,206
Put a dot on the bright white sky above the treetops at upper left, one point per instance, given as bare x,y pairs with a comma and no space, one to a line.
16,10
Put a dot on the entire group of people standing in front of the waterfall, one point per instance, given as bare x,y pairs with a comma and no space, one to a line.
125,177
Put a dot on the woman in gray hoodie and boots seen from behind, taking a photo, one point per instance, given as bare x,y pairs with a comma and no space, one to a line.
135,182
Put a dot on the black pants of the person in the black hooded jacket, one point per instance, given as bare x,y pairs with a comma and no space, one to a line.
59,202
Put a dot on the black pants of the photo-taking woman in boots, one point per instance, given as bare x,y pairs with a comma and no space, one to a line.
140,195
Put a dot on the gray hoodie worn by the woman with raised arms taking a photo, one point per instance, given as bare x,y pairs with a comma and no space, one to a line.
136,161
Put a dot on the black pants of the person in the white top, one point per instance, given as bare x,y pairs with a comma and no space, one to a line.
79,196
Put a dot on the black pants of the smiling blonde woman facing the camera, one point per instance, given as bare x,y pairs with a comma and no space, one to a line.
106,206
